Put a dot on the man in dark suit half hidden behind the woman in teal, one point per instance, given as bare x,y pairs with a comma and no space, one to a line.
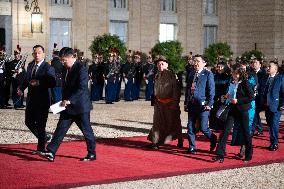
261,74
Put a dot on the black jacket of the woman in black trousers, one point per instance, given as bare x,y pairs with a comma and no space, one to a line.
245,95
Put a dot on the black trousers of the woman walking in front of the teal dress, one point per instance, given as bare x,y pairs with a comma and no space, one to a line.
243,117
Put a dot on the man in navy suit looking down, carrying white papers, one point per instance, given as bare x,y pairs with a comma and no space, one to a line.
76,99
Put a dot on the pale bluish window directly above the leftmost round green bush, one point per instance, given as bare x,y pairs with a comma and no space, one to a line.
118,28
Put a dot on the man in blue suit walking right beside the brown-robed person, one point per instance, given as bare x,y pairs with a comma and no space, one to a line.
199,100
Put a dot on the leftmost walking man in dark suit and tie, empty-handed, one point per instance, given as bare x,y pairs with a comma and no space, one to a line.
40,76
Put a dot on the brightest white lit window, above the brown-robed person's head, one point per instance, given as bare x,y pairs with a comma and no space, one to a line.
167,32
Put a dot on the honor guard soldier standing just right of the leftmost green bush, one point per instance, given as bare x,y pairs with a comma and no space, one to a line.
128,72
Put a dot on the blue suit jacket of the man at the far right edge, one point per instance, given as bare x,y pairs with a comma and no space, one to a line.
276,93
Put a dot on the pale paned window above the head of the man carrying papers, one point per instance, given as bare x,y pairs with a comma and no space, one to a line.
60,33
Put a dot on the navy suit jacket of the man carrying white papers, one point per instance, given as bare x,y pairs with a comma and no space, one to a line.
75,89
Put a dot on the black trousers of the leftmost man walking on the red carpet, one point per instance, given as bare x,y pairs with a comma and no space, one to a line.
35,120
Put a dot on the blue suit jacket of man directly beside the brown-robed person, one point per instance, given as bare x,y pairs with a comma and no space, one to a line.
204,90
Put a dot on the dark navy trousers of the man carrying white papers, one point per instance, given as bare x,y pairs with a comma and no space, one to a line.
63,125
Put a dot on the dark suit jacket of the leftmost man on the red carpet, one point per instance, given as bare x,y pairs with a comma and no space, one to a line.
38,96
